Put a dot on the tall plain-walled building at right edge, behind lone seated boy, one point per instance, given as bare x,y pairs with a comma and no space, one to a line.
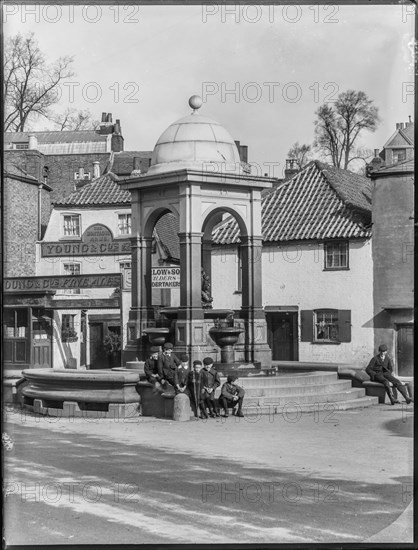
392,175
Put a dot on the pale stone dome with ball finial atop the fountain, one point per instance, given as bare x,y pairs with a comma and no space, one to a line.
194,142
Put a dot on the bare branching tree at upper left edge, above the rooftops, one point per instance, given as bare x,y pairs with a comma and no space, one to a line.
31,86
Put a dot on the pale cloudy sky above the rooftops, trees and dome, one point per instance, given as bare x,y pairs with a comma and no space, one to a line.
262,71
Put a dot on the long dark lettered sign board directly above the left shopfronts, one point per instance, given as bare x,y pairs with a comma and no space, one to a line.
24,284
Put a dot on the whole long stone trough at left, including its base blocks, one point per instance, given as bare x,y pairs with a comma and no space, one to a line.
67,393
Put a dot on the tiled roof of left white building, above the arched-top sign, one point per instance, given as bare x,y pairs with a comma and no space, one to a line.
102,191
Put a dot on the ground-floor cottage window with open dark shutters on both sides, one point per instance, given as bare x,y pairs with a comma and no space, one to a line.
325,326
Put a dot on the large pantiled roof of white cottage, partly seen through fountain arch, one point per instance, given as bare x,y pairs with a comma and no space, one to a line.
319,202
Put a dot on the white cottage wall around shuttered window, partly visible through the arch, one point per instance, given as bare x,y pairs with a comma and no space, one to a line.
294,275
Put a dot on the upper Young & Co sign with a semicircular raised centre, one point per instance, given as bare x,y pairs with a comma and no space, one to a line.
97,240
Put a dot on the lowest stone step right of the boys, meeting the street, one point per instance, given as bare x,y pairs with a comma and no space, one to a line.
292,411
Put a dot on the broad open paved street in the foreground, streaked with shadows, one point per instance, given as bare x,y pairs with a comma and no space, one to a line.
334,477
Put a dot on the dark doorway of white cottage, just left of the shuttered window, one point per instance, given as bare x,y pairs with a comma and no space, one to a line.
282,330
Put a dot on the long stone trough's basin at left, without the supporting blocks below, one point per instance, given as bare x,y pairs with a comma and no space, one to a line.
98,386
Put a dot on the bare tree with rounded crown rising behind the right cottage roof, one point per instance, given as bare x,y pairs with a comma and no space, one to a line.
338,127
